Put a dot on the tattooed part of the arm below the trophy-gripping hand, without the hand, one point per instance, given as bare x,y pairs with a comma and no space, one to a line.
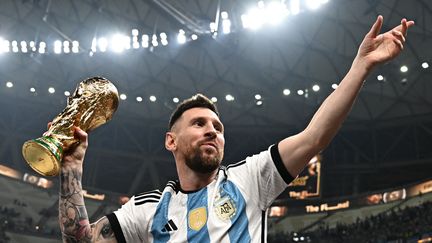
73,219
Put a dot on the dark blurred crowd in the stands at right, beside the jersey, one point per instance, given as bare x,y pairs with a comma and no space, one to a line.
409,224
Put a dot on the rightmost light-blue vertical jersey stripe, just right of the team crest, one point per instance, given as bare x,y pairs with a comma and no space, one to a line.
239,231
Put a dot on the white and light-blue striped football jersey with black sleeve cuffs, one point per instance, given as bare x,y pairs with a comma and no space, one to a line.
232,208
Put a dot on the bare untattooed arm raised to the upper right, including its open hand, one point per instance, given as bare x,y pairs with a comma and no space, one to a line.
296,151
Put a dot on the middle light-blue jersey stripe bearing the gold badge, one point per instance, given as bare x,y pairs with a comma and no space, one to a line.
197,209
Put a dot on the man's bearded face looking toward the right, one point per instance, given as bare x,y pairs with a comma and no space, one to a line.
200,140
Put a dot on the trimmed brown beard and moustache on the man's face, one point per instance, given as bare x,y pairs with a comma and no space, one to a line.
202,162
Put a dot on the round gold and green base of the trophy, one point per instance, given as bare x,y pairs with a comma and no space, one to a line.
43,155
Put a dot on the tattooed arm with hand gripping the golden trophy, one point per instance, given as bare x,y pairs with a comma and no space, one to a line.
73,219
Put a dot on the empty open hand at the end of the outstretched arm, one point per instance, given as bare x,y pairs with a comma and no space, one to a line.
377,48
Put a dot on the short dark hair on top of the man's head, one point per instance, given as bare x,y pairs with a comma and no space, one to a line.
198,100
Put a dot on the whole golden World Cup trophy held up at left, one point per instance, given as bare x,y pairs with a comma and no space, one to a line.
92,104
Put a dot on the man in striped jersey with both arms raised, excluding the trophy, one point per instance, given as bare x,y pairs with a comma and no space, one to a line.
211,203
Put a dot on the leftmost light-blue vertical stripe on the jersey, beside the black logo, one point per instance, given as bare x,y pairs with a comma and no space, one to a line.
160,219
